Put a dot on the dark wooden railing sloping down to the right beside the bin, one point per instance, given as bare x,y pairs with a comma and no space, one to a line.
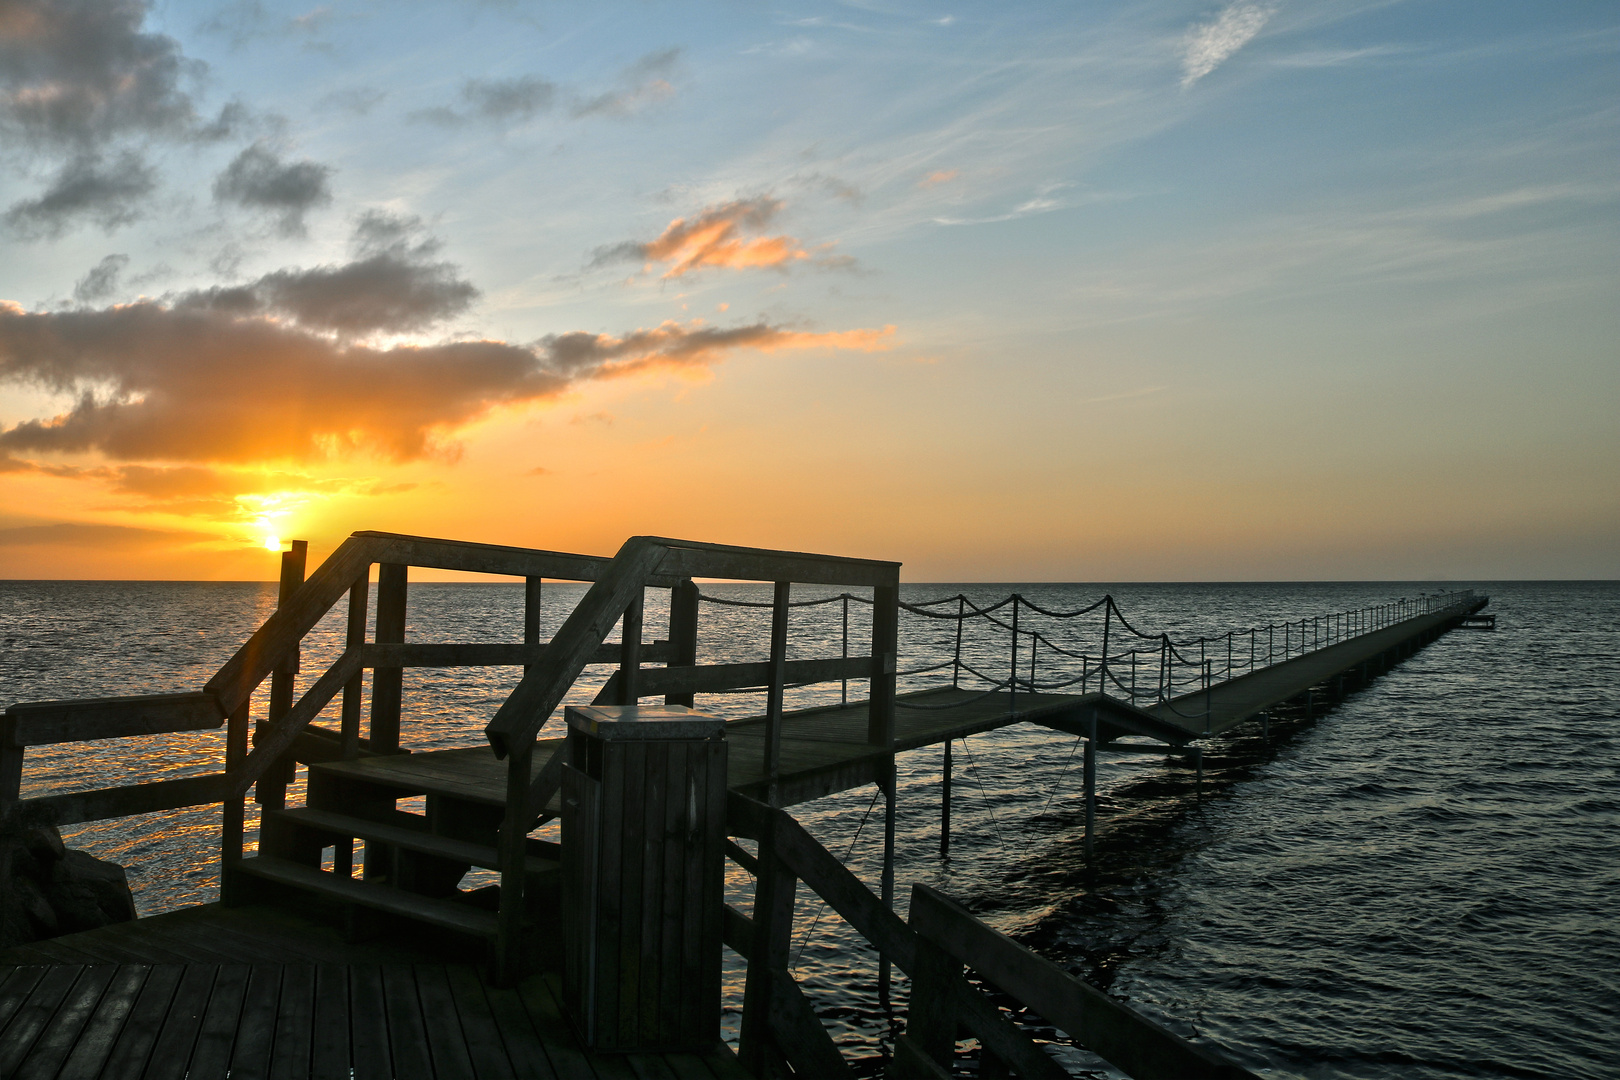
934,945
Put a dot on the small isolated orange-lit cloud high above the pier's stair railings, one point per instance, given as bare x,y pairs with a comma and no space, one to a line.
718,239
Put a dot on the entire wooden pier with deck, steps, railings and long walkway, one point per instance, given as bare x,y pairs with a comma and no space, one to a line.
351,899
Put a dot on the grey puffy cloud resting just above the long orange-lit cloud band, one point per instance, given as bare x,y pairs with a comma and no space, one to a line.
393,287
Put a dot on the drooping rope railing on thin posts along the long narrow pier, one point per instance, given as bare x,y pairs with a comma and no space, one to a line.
1151,673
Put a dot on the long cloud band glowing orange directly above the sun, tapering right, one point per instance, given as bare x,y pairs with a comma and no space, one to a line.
177,385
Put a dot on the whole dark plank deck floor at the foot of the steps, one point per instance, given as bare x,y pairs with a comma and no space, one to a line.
260,992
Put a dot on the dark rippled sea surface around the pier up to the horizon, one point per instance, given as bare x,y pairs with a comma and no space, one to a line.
1420,882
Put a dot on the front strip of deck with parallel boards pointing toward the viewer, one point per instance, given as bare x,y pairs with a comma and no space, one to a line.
273,1019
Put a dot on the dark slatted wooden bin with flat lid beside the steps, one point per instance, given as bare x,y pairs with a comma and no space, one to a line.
644,830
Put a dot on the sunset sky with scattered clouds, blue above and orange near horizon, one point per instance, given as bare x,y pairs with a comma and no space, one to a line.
1067,292
